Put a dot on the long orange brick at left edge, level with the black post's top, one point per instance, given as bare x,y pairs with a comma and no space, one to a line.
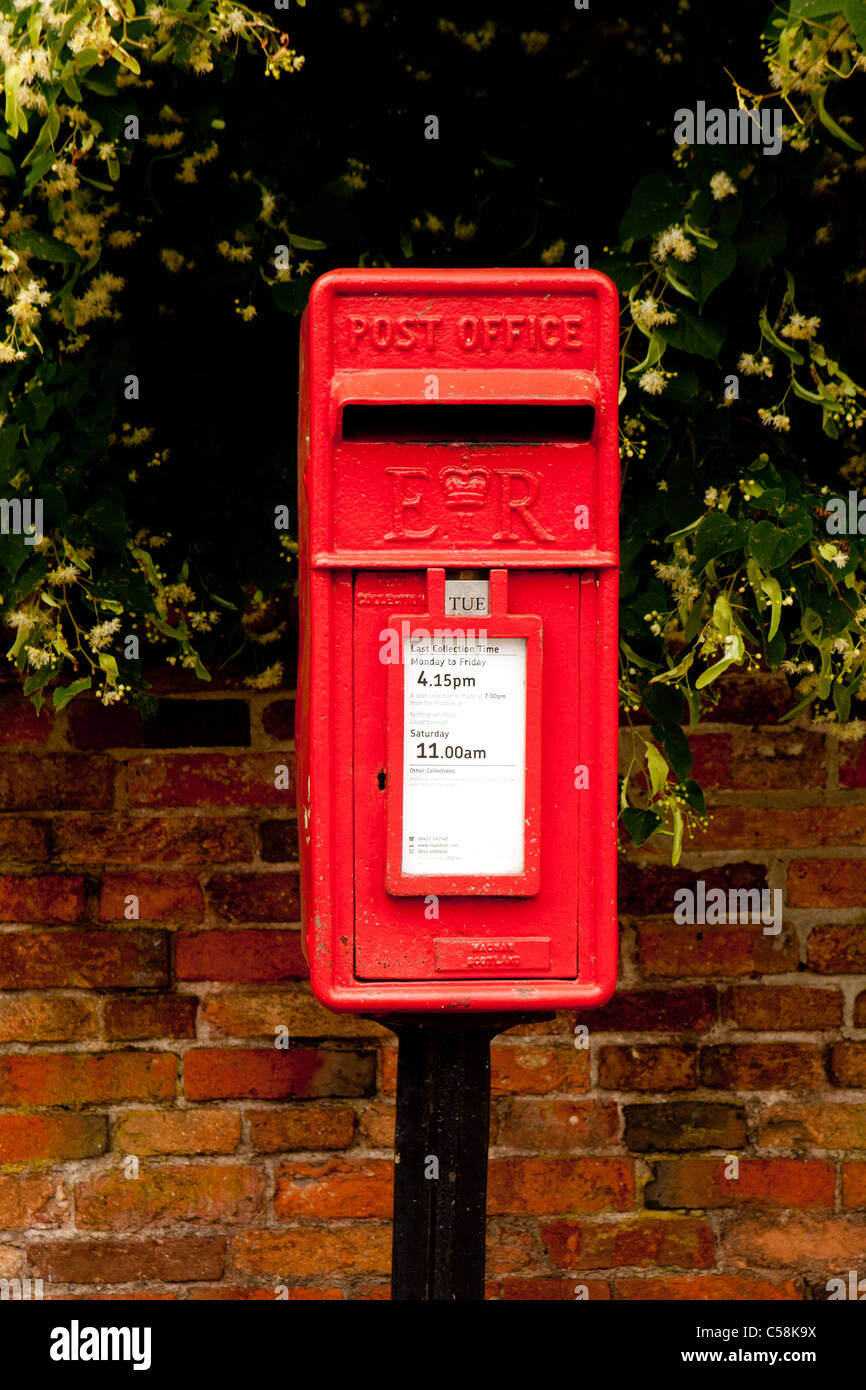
87,1078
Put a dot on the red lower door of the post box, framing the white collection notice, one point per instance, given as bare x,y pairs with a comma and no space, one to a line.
483,931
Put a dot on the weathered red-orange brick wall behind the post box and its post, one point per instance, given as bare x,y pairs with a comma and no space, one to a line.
259,1168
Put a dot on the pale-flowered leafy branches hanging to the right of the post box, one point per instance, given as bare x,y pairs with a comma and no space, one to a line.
751,579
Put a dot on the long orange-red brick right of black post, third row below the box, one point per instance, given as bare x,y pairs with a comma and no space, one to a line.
541,1186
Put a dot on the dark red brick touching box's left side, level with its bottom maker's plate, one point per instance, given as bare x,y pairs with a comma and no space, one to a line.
244,957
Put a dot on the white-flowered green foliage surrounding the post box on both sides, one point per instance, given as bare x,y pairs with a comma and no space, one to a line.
742,414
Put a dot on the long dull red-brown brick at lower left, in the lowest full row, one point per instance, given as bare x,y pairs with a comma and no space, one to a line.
170,1260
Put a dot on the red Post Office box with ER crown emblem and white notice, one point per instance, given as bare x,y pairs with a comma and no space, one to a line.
458,687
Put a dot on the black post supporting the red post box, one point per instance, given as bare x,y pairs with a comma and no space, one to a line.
441,1147
